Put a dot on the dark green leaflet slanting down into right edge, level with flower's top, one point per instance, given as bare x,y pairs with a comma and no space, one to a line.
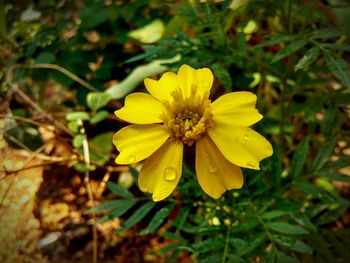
339,67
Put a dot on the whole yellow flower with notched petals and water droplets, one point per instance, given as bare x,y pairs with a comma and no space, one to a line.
178,112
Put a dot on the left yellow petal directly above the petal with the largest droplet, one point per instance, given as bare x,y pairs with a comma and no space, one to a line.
136,142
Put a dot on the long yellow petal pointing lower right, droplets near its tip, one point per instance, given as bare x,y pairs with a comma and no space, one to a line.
241,146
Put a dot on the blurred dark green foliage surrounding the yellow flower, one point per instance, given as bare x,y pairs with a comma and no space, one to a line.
69,64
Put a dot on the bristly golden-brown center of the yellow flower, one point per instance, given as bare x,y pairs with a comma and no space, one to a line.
188,118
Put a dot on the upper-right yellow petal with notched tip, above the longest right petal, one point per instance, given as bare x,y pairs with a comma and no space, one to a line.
237,108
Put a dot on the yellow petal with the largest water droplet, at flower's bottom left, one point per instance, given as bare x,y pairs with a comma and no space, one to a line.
161,172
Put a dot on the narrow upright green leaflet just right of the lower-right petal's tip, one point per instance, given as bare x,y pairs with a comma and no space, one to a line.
300,157
